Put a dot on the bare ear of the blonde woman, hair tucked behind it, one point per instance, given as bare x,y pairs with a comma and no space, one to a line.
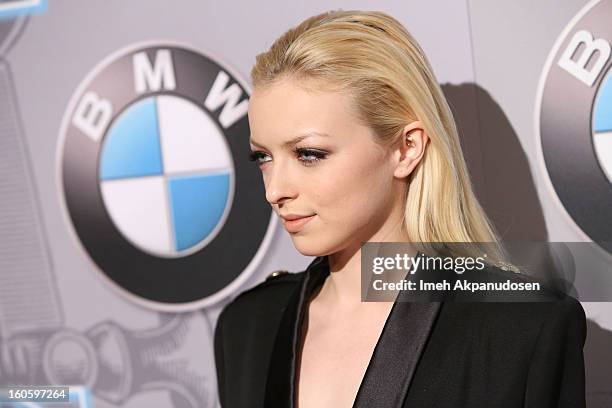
410,149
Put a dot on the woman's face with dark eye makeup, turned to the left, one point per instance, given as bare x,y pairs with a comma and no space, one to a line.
318,160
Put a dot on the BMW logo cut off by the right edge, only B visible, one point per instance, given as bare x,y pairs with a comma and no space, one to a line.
574,120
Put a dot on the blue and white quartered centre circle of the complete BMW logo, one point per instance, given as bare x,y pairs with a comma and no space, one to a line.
165,176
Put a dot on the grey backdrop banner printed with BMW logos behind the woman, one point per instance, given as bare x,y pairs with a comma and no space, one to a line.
130,215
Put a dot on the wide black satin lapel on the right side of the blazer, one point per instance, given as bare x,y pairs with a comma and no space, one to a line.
397,353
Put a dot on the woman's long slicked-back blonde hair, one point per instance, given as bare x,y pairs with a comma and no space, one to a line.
374,58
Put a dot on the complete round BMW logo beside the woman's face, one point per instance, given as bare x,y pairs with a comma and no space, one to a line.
153,170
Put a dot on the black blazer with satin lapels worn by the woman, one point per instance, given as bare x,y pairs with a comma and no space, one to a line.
429,354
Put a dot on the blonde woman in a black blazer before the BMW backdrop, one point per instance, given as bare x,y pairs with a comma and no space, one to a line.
356,143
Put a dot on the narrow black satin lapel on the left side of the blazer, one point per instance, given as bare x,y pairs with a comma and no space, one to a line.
280,384
